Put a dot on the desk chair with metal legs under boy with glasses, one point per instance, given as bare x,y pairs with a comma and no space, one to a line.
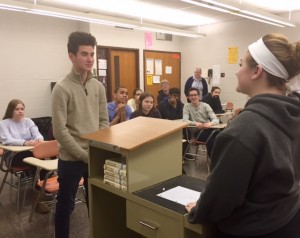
199,144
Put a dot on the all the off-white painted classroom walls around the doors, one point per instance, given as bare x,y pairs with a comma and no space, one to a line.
33,54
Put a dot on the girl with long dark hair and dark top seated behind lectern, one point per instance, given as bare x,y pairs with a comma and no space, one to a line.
146,107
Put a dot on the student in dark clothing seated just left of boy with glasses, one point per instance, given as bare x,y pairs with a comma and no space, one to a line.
172,108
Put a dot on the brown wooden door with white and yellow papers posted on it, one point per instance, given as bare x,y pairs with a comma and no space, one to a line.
159,65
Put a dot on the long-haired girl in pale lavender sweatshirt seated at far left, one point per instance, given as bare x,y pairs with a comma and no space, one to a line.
16,129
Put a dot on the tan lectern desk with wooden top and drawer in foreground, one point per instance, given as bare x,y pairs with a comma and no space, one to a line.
152,151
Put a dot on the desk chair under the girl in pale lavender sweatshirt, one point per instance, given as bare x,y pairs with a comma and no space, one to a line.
6,166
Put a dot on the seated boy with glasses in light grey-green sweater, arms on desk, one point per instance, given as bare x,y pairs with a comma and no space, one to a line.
200,115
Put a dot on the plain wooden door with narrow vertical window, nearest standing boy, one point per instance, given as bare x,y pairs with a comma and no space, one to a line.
124,70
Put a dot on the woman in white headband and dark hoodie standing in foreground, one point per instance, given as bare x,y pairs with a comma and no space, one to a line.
253,189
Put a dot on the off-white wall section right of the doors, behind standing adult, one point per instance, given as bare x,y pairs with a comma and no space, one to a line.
213,50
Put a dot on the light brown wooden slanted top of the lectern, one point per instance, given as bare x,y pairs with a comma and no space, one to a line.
136,132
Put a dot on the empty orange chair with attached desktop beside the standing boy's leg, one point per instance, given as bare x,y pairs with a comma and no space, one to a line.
48,186
